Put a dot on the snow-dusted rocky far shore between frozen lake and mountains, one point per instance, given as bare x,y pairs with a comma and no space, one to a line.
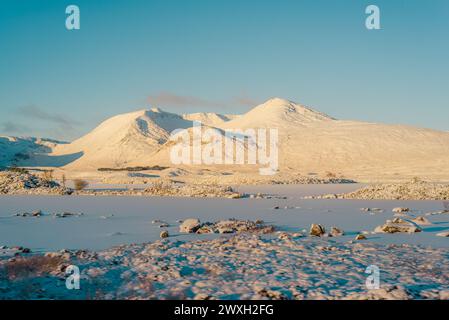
21,183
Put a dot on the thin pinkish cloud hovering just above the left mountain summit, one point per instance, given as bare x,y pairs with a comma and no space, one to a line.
174,100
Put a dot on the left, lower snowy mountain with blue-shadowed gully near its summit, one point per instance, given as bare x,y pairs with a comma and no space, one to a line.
132,138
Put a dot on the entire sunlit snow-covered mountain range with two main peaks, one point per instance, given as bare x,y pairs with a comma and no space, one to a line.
309,141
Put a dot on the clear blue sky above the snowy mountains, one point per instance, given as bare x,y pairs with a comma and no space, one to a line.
221,56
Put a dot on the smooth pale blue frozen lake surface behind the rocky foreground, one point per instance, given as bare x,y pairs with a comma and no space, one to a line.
109,221
